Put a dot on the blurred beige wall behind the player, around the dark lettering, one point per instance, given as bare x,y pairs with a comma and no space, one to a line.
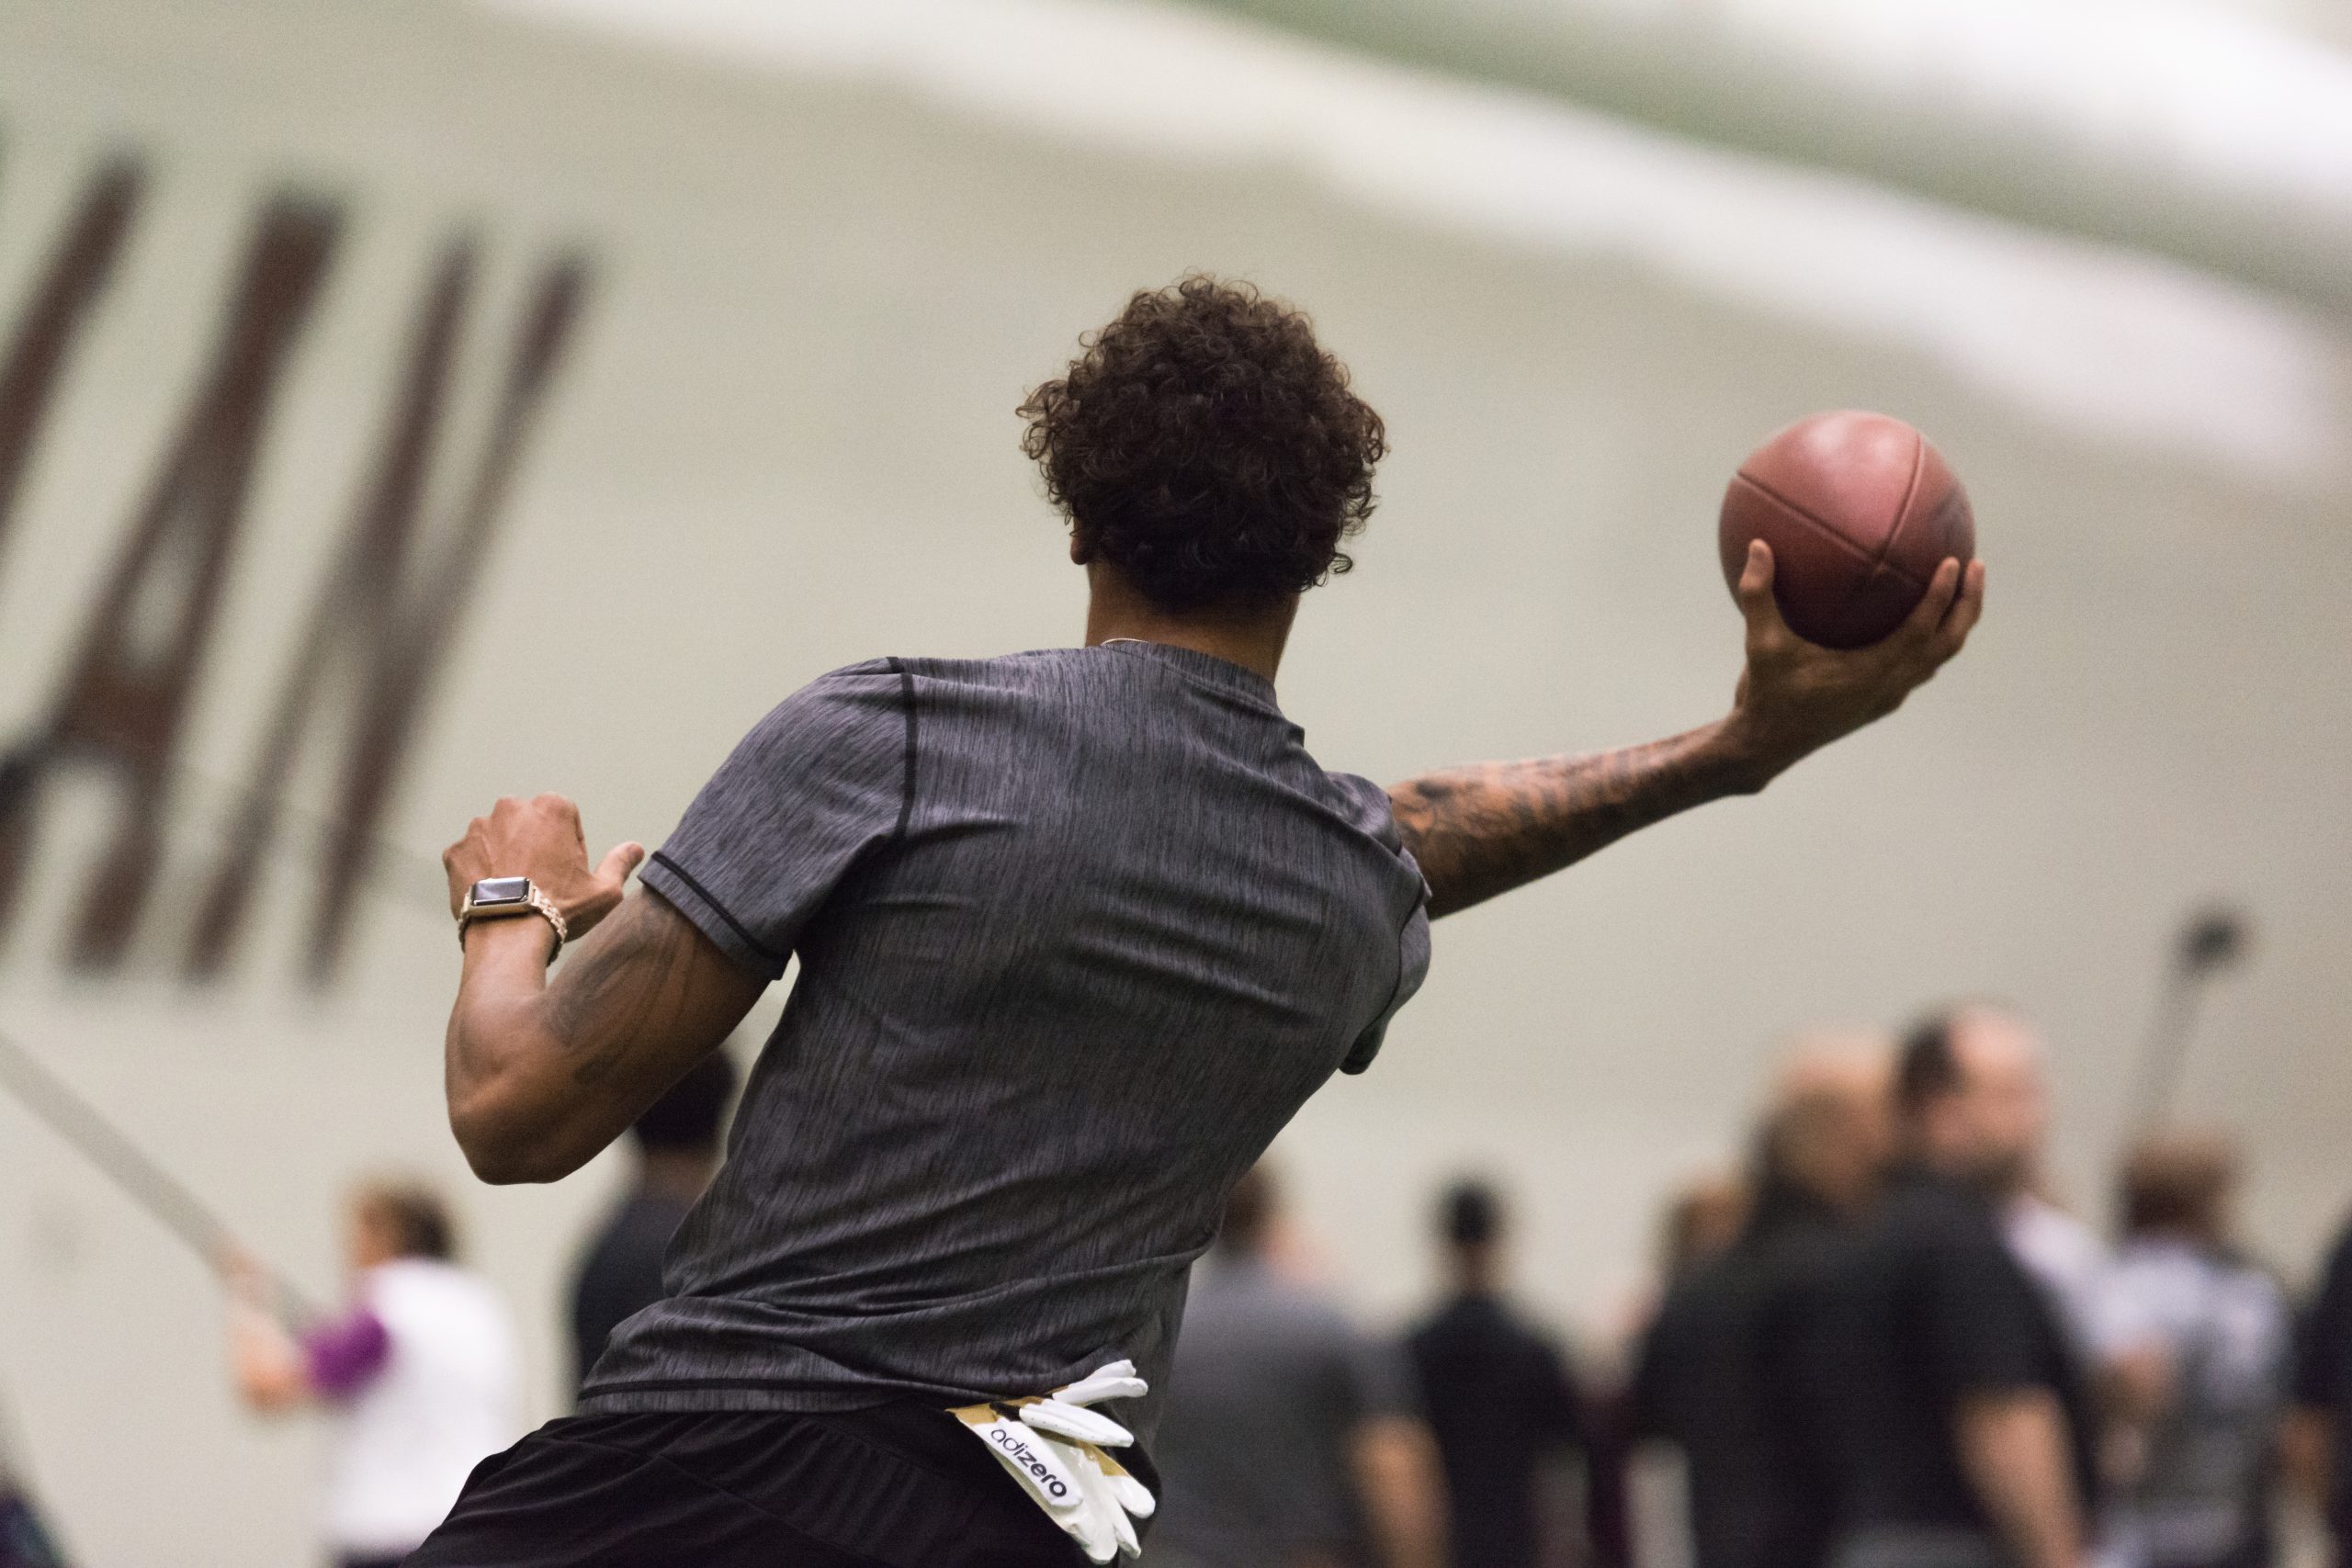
782,438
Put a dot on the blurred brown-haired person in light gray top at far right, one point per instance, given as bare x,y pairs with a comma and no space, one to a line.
2203,1362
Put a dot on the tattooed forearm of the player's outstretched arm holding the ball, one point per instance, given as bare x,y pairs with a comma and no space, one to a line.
1492,826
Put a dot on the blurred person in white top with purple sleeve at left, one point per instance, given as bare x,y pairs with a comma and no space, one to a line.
420,1374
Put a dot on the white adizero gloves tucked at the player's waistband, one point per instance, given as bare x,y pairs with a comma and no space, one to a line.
1055,1449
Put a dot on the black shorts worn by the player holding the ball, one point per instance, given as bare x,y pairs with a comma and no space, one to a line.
893,1487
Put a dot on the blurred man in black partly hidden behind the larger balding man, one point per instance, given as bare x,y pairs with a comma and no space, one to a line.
1723,1372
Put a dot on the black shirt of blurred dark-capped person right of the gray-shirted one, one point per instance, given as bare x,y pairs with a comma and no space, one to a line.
1502,1402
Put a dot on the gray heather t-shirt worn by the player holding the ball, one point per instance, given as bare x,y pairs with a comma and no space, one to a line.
1078,932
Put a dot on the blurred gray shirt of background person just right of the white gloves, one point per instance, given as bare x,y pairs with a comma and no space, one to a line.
1269,1393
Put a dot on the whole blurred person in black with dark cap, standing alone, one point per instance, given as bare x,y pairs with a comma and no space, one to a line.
1502,1400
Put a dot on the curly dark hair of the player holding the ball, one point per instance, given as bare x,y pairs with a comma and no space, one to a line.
1208,448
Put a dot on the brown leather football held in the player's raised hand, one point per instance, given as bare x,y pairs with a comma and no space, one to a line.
1859,511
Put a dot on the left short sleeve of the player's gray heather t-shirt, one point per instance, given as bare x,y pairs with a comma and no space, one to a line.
820,782
